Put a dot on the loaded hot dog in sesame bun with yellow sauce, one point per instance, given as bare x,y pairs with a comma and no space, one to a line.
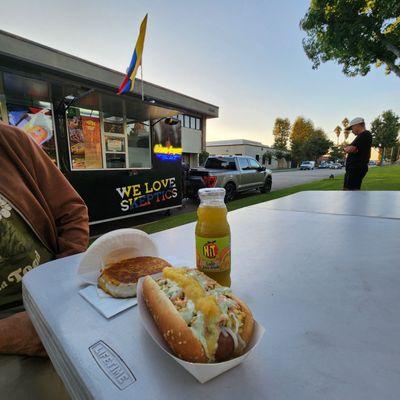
200,320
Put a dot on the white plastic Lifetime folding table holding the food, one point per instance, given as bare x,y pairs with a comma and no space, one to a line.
325,286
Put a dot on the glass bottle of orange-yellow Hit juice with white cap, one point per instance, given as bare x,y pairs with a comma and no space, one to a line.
213,236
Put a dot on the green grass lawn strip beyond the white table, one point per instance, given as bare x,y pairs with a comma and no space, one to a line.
378,178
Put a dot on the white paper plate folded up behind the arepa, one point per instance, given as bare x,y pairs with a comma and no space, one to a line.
113,247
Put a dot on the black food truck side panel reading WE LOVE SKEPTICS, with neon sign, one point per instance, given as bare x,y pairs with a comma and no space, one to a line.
113,194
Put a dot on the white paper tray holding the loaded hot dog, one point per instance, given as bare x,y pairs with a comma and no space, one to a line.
202,372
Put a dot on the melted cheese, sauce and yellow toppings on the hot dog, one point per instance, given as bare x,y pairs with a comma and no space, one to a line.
206,307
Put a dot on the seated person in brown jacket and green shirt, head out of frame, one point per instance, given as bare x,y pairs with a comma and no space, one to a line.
41,218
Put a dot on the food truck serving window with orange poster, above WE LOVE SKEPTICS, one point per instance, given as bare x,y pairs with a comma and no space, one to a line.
102,140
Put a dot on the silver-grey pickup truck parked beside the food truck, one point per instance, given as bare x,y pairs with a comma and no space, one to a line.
233,173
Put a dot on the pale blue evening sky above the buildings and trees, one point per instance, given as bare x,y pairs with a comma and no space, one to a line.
244,56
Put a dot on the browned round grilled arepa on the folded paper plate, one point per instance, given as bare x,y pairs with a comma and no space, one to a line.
120,279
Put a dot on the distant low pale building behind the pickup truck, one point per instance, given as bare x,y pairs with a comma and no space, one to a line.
242,147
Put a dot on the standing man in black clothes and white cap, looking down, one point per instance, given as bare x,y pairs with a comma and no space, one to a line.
358,155
